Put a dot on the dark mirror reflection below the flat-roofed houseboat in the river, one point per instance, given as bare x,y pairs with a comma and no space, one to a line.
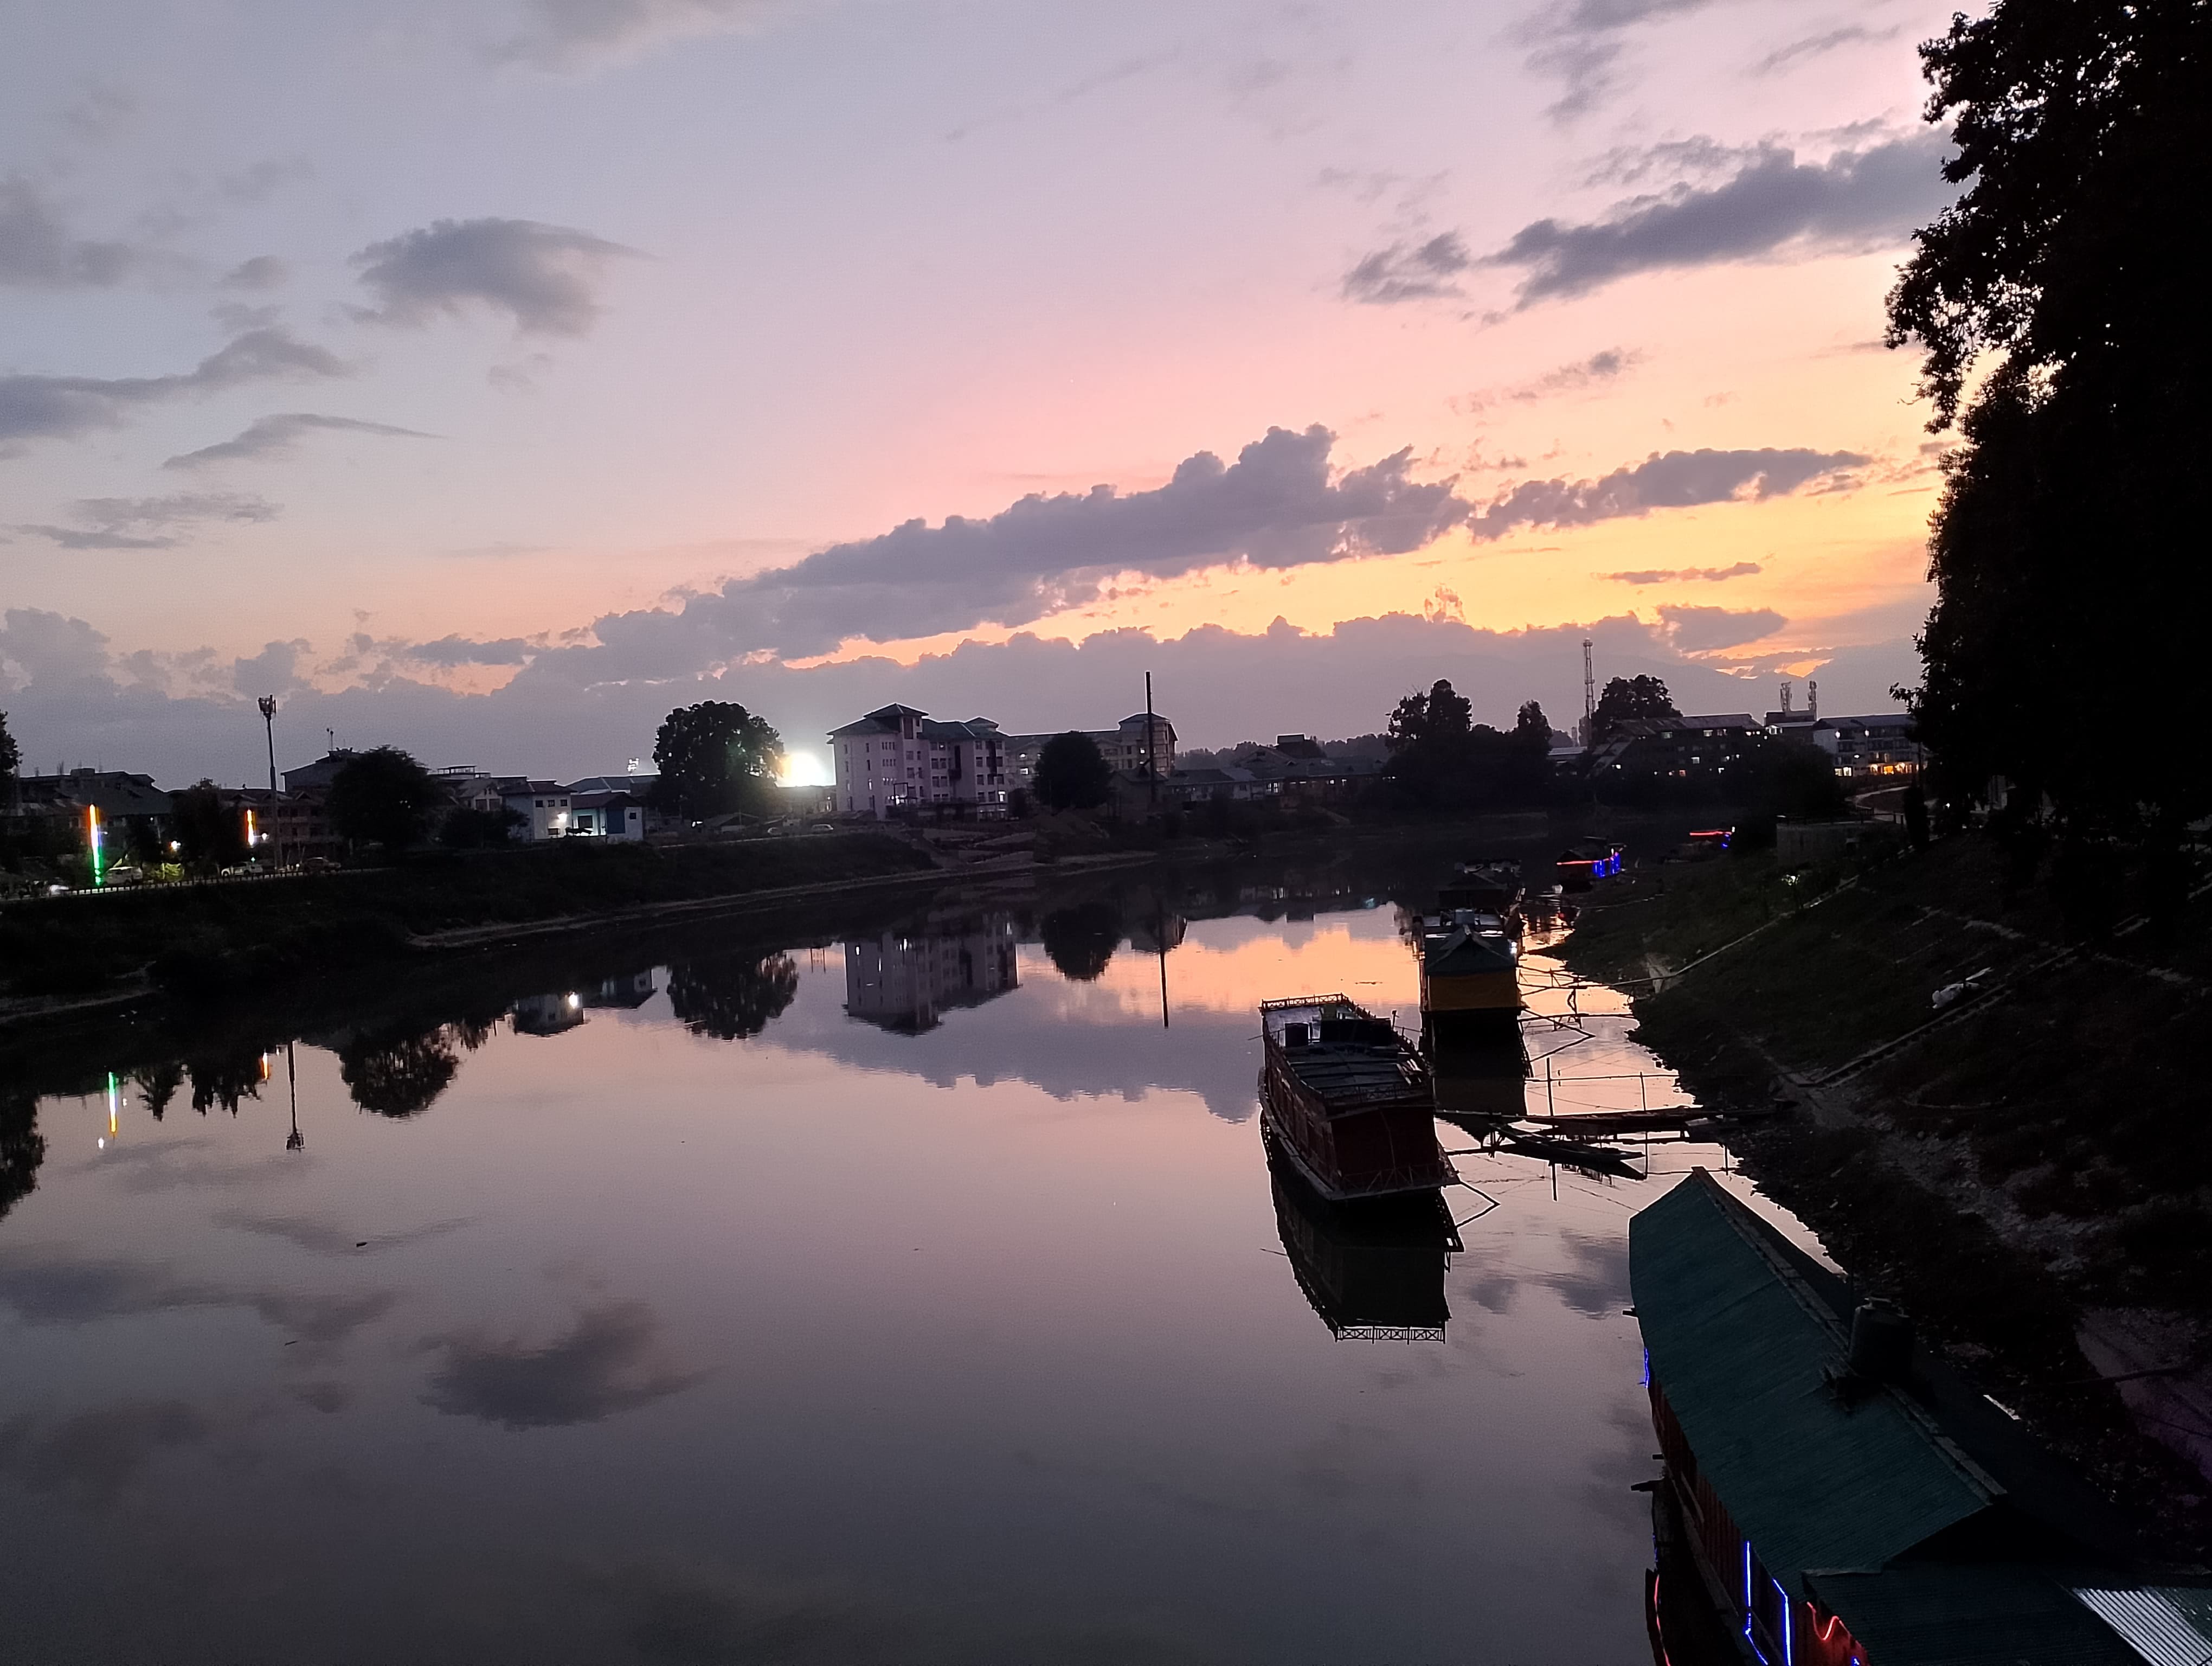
1373,1271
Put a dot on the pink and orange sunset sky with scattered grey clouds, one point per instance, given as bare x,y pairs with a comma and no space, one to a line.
490,377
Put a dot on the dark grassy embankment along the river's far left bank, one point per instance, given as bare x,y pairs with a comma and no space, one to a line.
255,935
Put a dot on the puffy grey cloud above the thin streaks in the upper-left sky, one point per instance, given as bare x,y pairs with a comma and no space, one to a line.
543,278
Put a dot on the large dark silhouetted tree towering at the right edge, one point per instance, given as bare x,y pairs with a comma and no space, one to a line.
2069,543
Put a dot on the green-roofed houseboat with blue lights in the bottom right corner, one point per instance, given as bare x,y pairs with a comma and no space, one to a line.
1835,1497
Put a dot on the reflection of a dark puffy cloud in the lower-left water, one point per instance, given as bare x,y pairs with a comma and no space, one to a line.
609,1362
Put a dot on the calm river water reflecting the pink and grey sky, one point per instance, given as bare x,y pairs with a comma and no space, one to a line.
901,1298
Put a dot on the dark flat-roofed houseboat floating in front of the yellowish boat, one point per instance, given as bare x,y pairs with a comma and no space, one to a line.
1348,1101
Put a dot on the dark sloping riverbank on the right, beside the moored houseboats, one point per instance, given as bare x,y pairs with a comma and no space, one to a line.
2023,1167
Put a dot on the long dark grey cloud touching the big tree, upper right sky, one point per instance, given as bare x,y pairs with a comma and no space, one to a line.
1766,207
